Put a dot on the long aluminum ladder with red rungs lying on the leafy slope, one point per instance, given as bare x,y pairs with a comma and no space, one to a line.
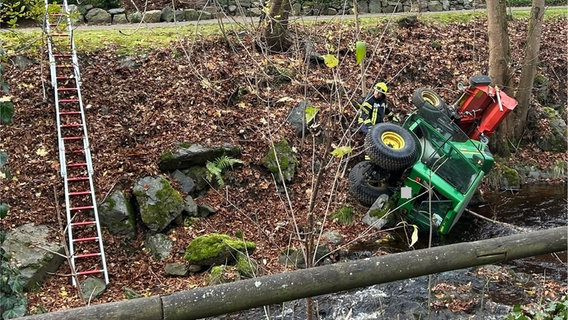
83,229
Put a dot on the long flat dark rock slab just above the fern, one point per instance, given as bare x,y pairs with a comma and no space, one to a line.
195,155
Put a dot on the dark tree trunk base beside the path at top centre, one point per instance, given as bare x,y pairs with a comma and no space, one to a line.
275,33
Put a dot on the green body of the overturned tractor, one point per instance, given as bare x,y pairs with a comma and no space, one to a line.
448,163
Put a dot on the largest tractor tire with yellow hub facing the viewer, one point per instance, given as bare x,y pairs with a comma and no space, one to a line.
390,147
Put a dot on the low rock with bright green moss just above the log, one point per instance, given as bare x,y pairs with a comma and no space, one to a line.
216,249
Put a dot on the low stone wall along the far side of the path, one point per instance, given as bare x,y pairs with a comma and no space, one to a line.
197,10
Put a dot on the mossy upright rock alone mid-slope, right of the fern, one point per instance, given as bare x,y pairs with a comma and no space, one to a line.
287,161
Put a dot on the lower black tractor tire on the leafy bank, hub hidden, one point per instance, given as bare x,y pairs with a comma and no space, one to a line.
367,183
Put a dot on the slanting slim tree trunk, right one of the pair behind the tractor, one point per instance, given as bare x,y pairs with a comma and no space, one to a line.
528,70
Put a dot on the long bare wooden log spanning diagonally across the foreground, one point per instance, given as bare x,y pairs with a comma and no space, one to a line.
245,294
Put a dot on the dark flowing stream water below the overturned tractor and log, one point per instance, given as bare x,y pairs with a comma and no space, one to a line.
533,207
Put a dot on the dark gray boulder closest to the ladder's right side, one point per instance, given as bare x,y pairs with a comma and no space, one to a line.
117,215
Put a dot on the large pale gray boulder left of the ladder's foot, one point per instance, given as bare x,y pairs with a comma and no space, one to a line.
32,253
